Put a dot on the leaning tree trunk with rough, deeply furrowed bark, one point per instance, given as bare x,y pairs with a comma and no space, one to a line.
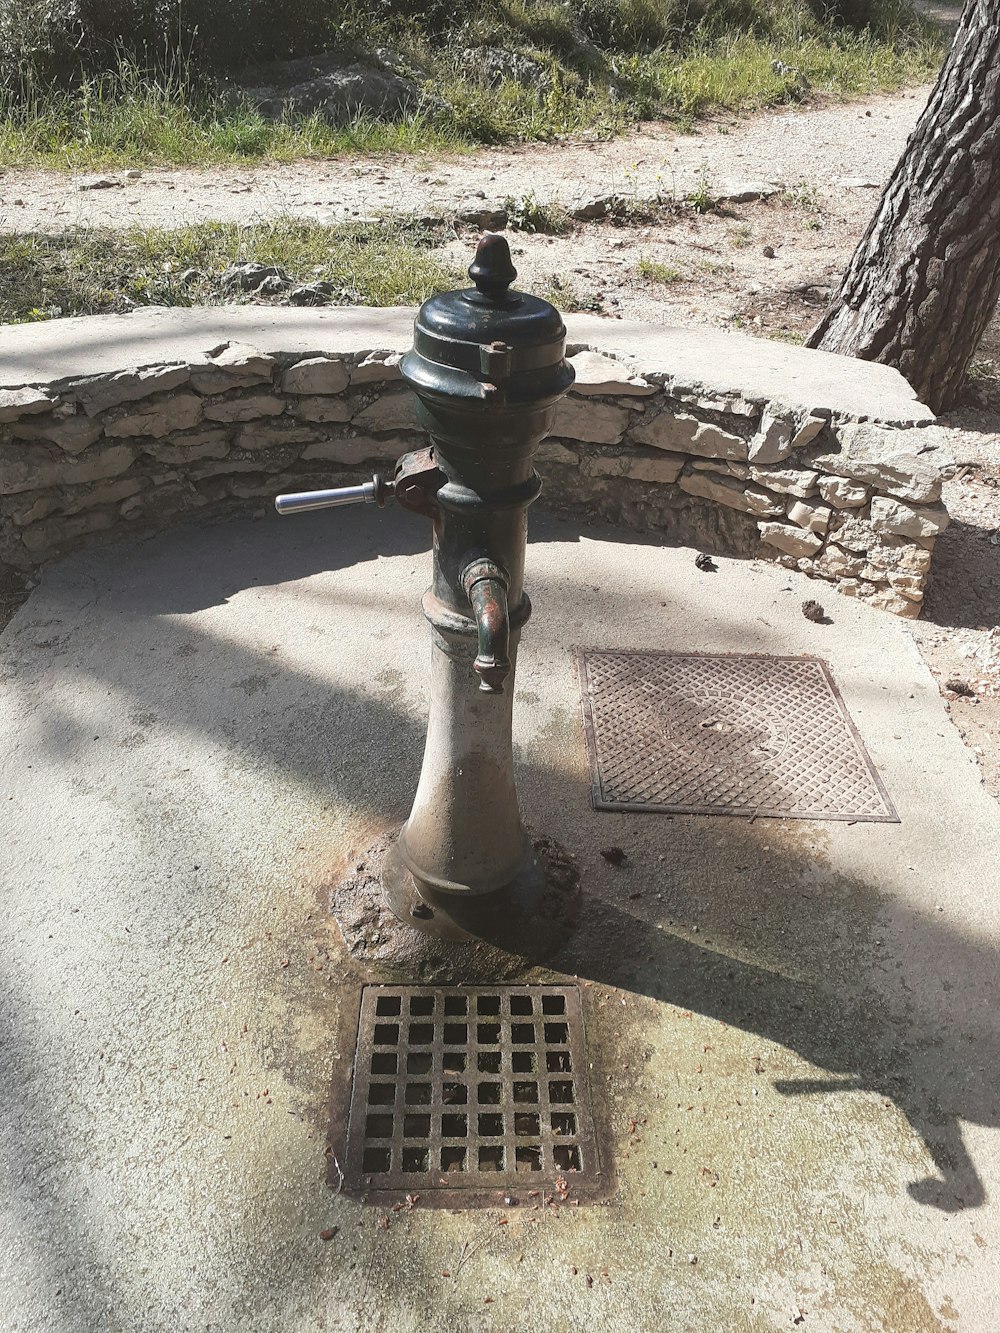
926,278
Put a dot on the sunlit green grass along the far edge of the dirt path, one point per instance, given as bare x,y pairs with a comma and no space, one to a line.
130,118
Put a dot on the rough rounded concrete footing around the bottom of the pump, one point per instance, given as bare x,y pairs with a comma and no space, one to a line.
387,924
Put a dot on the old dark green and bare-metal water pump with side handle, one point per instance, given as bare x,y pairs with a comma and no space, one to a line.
489,369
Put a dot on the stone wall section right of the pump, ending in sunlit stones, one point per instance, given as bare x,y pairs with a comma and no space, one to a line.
853,503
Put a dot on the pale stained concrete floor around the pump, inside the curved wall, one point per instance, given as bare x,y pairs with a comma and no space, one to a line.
794,1026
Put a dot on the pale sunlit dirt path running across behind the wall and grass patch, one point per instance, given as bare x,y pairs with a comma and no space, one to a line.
825,147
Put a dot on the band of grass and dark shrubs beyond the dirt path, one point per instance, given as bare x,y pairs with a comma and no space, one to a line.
75,94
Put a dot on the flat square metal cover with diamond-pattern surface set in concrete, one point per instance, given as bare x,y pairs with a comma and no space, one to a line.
697,734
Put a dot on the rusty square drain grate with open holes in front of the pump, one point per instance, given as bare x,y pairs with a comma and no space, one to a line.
471,1095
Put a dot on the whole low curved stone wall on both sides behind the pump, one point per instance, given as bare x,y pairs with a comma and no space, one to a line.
849,501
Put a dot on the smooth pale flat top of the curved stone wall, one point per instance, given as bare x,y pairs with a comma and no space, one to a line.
703,361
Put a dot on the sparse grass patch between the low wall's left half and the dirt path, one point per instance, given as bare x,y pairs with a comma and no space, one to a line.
109,271
